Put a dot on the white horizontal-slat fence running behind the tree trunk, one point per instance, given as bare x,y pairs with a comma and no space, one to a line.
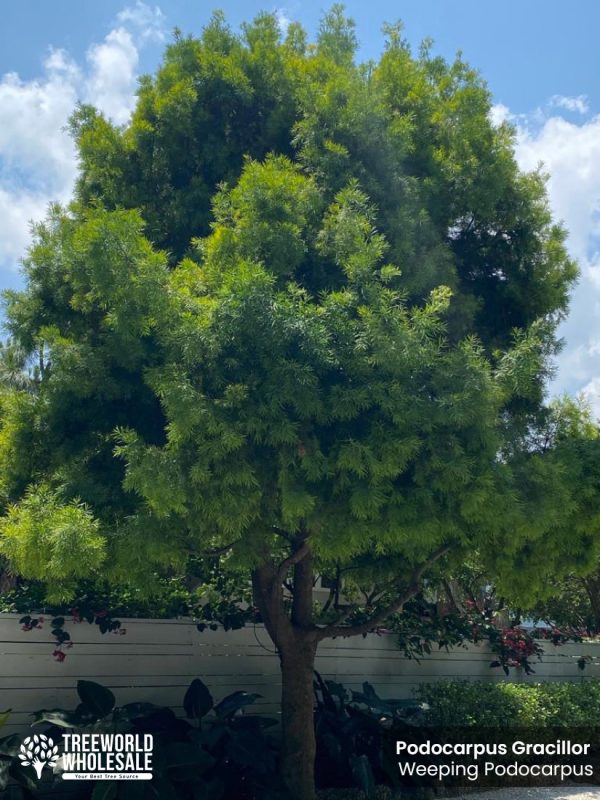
156,660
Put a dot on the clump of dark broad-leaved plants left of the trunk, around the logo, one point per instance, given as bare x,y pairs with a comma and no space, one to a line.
216,753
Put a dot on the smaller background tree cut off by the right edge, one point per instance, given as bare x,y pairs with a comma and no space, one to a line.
561,464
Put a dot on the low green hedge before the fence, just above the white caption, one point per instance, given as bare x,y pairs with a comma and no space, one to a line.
512,704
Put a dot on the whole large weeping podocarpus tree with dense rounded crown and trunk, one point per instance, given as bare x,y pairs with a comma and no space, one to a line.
300,313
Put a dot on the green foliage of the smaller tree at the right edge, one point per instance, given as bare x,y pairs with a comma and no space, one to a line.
557,473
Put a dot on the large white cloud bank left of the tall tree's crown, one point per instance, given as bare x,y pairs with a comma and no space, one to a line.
37,157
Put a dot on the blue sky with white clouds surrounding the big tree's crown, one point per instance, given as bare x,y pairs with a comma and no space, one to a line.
540,58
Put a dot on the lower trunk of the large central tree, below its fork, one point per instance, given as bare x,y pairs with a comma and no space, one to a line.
297,717
